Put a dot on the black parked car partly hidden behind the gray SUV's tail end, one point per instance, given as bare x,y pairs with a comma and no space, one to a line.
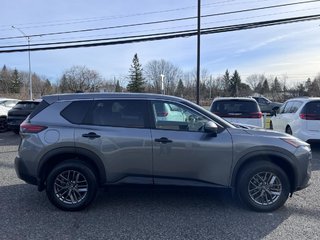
19,113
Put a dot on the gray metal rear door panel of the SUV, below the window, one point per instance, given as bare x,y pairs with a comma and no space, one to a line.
126,152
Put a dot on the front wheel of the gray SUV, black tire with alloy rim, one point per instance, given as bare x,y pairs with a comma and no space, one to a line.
263,186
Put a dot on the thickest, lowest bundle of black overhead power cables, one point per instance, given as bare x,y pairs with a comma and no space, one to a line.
163,36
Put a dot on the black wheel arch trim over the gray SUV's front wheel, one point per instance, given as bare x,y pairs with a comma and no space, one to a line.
279,159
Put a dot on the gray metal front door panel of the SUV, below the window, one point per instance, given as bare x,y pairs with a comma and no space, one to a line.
191,157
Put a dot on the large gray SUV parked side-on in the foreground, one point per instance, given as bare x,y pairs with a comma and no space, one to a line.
73,144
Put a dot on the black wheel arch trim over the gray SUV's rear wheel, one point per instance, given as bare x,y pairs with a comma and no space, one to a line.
57,156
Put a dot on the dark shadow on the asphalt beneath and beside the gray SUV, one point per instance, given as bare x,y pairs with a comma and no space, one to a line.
136,213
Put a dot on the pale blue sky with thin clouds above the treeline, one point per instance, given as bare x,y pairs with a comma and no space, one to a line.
289,51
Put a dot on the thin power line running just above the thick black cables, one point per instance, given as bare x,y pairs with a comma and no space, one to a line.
163,21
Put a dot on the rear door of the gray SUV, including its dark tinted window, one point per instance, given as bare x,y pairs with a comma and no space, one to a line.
118,132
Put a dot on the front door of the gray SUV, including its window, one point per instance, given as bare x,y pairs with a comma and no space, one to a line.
183,154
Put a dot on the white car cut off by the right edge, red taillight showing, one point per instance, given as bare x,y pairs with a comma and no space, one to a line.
299,117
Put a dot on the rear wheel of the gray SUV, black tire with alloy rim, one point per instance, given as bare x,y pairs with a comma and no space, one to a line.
71,185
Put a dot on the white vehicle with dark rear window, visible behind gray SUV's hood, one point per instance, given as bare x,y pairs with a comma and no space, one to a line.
238,110
